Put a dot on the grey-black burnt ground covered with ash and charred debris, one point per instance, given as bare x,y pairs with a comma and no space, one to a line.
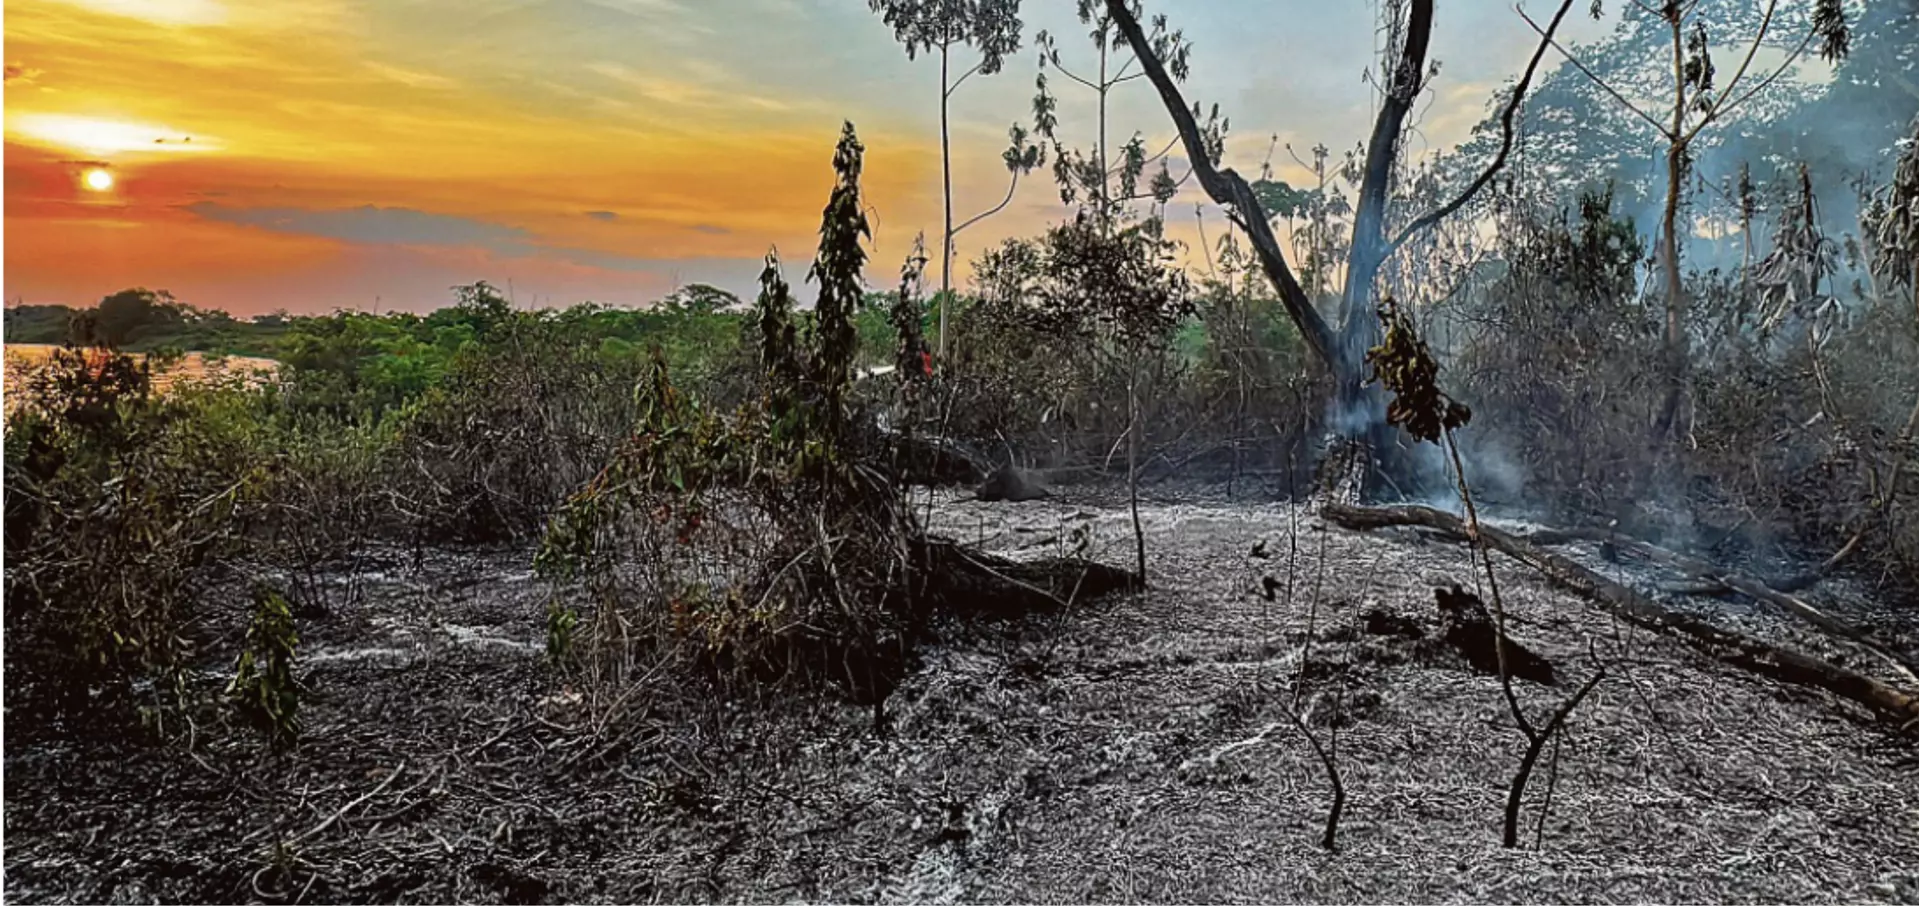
1136,748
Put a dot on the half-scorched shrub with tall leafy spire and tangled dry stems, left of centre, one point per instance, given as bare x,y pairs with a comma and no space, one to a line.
752,540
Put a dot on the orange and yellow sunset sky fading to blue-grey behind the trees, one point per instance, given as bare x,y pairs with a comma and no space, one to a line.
320,155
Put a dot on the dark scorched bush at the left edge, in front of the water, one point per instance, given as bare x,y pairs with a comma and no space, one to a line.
120,502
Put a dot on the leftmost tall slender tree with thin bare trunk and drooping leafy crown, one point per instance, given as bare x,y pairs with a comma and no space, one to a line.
992,30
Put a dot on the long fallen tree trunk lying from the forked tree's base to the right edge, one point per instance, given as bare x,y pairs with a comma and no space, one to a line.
1731,648
